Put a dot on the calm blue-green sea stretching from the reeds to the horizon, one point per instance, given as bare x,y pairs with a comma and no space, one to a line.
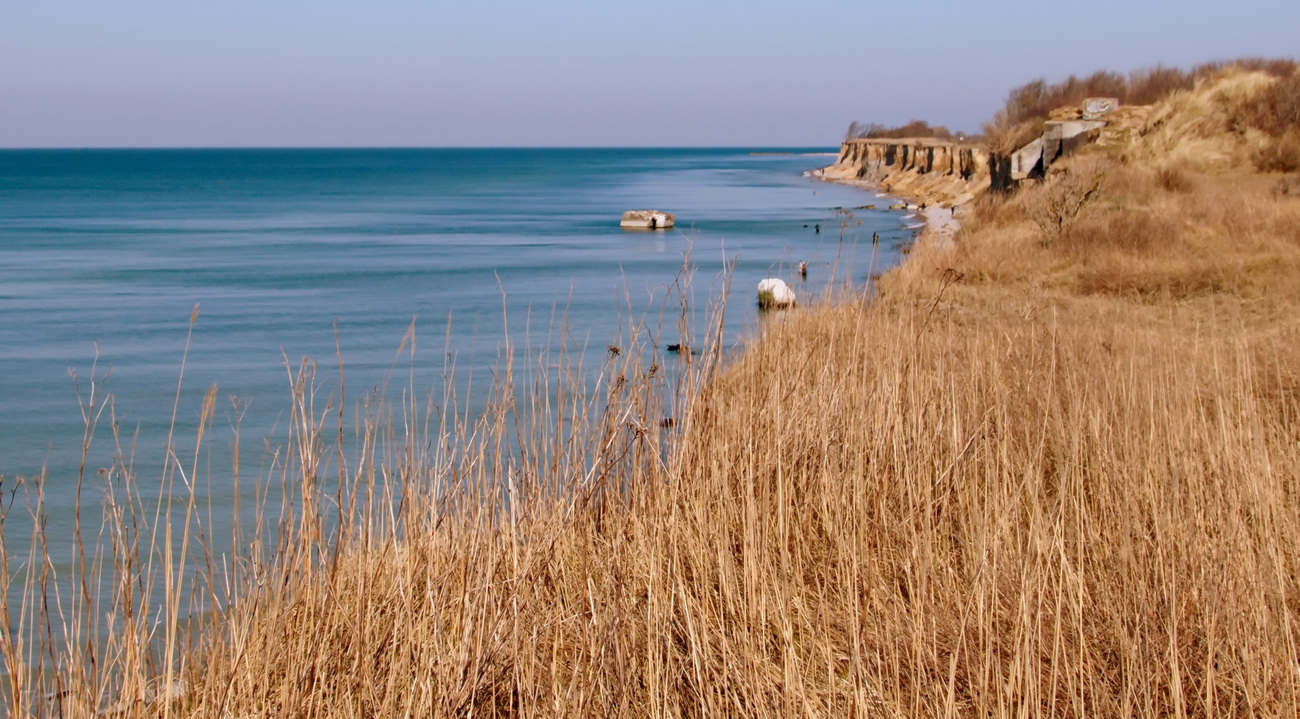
150,276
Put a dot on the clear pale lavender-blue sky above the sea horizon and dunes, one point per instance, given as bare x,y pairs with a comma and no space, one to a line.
509,73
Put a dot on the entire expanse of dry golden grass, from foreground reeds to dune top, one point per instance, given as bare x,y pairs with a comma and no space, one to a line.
1050,470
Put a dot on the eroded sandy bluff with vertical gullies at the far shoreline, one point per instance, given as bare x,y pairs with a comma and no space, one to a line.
926,170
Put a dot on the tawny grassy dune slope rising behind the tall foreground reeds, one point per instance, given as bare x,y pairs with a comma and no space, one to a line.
1180,215
